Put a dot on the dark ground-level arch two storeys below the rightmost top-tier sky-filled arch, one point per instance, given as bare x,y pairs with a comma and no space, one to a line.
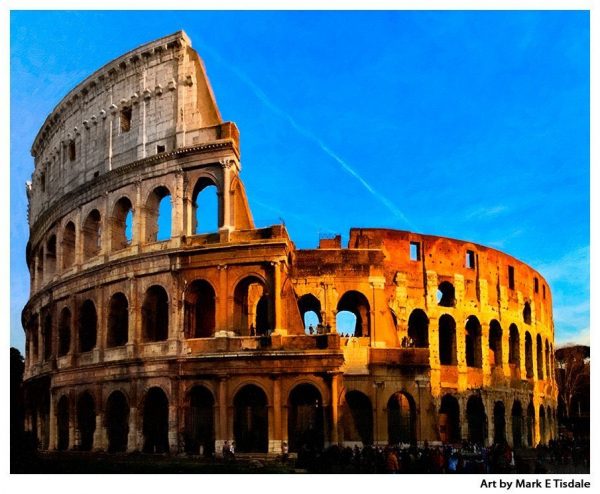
199,420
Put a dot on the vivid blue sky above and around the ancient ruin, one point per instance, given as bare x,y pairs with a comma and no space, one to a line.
473,125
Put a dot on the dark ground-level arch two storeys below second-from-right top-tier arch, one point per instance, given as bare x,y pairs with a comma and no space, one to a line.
156,421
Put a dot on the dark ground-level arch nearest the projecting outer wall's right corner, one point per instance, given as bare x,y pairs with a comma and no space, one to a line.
305,418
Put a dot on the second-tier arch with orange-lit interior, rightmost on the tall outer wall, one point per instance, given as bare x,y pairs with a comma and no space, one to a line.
252,309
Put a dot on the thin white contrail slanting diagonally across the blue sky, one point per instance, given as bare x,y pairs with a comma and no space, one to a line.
309,135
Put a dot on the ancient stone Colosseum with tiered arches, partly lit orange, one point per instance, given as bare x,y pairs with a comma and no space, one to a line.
146,337
